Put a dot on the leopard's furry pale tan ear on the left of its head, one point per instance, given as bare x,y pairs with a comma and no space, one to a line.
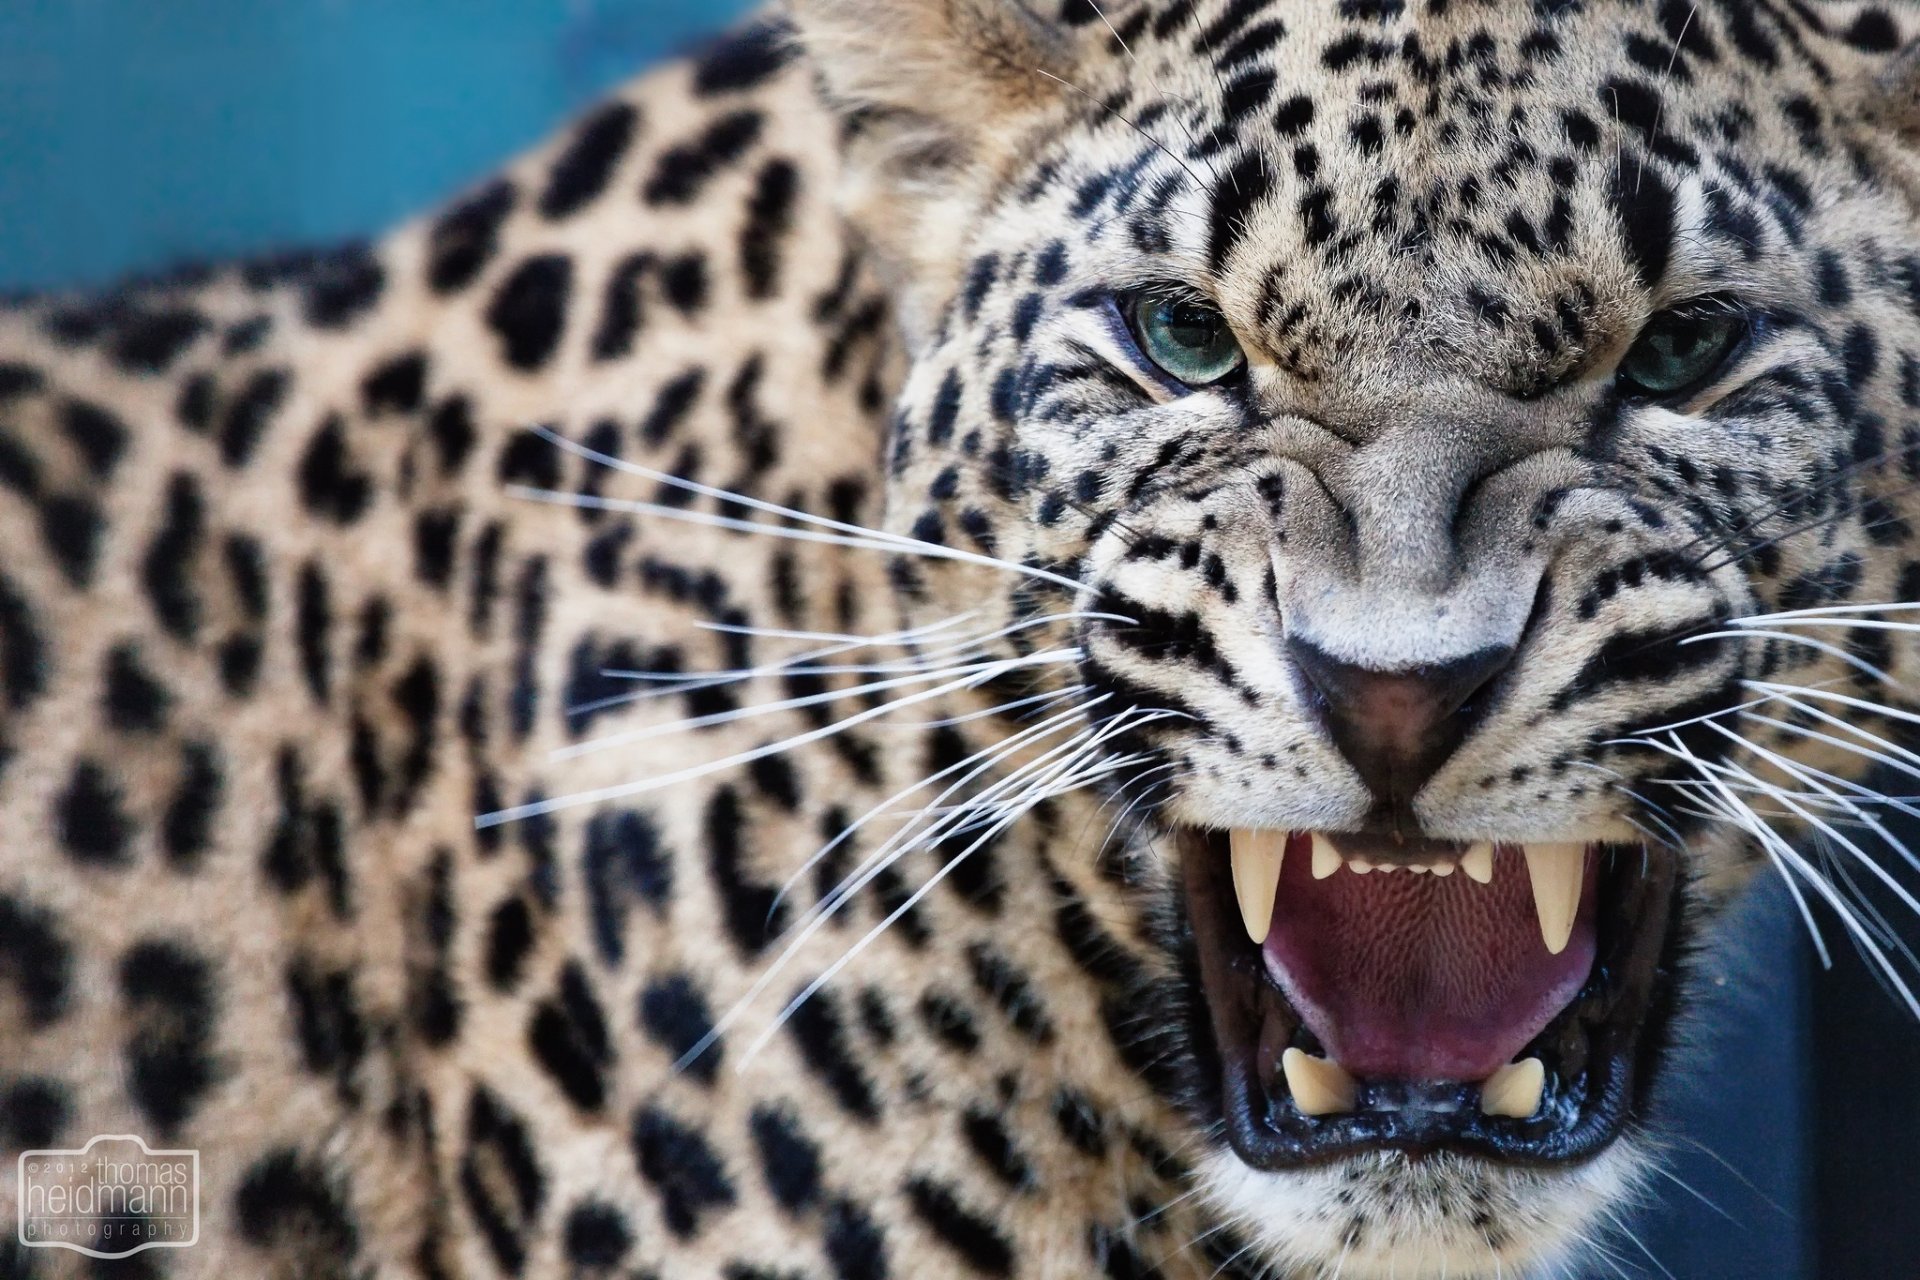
940,97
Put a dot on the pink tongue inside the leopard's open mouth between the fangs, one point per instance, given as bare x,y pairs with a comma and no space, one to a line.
1422,978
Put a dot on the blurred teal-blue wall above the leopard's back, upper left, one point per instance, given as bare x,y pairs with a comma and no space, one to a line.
143,133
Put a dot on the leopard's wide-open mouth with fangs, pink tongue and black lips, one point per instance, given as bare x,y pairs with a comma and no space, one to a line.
1422,995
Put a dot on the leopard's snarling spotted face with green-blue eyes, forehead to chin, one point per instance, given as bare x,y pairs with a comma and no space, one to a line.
1437,406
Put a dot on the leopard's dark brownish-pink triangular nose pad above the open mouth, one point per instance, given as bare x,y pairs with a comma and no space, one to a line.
1397,728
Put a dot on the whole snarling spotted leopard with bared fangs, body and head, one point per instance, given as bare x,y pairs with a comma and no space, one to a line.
974,640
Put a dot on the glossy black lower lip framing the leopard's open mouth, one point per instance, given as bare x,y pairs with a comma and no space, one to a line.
1600,1051
